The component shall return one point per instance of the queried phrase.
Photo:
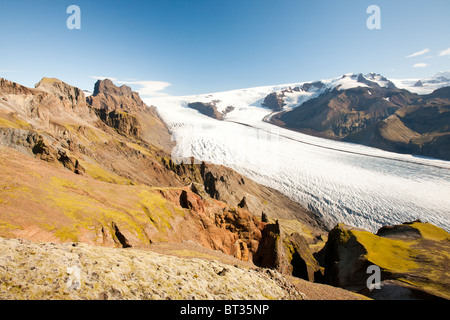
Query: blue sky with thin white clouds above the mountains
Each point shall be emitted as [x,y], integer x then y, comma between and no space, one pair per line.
[189,47]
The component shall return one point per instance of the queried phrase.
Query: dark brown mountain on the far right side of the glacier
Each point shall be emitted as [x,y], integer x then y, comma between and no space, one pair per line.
[378,114]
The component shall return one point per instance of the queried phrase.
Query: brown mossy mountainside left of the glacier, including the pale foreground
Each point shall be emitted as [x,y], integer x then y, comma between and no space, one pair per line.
[90,179]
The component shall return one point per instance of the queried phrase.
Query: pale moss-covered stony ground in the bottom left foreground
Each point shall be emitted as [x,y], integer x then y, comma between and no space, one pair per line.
[36,271]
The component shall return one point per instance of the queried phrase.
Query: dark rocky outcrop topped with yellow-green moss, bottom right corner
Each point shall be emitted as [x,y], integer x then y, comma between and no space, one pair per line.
[412,259]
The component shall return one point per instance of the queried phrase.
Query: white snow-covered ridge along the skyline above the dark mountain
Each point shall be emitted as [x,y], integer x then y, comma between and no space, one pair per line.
[292,95]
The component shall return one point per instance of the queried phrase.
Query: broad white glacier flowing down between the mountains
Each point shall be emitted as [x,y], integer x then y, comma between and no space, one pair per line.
[340,182]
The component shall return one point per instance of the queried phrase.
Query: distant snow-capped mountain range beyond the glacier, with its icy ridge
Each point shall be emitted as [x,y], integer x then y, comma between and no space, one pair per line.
[405,116]
